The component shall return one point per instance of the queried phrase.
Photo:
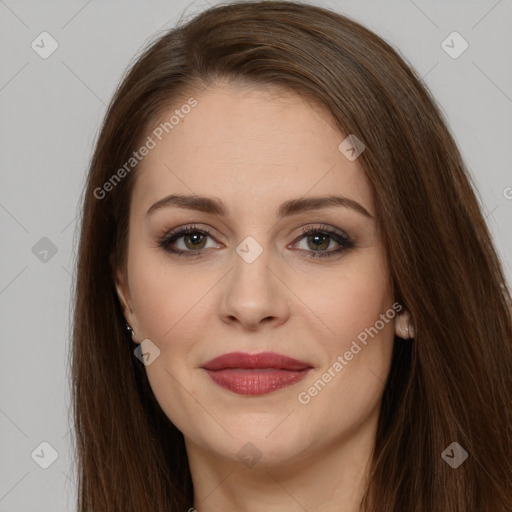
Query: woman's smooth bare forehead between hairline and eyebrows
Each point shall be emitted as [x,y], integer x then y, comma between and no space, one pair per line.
[251,146]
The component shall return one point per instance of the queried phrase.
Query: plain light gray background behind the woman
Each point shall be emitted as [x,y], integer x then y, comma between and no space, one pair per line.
[51,111]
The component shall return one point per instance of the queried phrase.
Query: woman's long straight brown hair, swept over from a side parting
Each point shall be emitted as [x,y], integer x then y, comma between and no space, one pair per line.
[452,383]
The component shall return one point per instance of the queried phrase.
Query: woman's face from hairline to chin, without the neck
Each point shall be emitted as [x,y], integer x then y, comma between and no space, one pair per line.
[249,280]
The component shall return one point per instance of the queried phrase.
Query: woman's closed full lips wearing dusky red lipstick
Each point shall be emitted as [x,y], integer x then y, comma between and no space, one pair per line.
[255,374]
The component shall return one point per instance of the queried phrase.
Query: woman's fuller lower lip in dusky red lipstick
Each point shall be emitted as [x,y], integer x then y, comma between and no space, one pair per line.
[255,381]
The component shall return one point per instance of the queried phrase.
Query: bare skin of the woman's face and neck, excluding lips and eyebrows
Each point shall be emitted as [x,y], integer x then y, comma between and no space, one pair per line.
[254,148]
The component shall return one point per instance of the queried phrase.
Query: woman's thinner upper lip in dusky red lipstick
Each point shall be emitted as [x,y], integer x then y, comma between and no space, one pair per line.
[254,361]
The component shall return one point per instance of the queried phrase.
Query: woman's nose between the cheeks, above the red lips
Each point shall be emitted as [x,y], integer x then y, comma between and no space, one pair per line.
[255,294]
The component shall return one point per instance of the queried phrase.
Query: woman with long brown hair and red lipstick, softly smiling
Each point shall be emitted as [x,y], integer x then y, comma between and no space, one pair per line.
[317,318]
